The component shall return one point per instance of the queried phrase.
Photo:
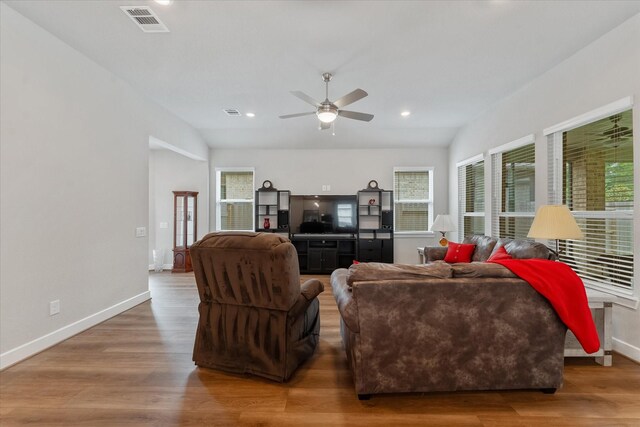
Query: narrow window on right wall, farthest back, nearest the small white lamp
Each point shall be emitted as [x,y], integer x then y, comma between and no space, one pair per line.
[471,196]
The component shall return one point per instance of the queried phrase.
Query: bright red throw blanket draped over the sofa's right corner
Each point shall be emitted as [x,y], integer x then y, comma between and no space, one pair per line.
[559,284]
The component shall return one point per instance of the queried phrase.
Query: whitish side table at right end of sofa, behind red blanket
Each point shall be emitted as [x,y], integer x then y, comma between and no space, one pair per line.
[601,305]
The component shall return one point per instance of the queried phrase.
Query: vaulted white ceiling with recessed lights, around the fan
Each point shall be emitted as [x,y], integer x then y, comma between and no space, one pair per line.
[445,61]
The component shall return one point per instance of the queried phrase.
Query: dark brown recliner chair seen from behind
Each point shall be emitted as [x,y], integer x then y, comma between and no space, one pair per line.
[255,317]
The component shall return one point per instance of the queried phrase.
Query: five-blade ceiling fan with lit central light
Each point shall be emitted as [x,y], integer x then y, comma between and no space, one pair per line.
[327,111]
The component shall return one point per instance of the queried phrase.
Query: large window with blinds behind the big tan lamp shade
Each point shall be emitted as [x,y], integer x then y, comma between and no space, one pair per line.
[591,171]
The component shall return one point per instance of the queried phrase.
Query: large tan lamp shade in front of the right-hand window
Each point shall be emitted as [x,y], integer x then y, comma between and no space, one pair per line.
[554,222]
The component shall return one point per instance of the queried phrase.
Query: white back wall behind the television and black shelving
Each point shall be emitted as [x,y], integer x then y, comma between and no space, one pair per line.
[346,171]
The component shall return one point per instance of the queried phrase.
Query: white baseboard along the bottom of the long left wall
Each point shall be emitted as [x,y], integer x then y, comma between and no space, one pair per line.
[24,351]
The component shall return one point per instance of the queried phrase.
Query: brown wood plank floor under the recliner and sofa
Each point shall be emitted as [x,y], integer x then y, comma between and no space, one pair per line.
[136,369]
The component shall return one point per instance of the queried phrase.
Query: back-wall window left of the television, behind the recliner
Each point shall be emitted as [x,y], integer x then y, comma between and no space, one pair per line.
[234,199]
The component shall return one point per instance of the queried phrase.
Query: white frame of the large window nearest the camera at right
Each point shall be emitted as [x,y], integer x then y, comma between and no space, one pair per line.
[555,186]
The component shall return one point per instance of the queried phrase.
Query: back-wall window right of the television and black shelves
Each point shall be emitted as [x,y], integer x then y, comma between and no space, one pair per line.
[413,189]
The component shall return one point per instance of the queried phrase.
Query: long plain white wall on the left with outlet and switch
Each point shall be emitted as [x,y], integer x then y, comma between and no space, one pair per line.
[73,188]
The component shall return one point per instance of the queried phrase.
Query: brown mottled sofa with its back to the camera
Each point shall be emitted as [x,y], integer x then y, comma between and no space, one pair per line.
[446,327]
